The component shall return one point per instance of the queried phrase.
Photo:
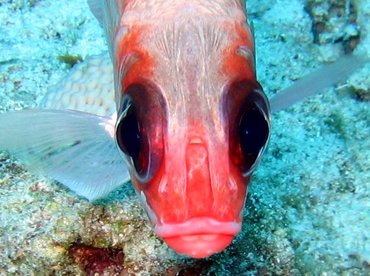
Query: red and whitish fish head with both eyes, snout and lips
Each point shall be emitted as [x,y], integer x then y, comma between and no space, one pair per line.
[192,123]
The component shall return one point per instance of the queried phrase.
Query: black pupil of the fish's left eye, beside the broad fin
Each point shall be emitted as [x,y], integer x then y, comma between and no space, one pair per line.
[128,132]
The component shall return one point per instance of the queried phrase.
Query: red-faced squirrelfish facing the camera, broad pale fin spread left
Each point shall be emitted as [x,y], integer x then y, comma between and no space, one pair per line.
[190,126]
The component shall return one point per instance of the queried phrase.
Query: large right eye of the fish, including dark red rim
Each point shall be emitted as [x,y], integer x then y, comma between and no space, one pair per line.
[246,111]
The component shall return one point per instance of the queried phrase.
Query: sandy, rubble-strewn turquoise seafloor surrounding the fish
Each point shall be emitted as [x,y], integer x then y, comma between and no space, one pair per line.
[308,209]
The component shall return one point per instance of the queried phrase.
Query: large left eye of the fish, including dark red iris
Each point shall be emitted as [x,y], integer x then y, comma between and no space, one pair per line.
[140,128]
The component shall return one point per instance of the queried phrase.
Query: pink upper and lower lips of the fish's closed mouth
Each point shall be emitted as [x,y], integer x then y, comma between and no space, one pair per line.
[198,237]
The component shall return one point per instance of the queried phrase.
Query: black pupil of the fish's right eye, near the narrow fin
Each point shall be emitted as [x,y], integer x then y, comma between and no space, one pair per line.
[253,132]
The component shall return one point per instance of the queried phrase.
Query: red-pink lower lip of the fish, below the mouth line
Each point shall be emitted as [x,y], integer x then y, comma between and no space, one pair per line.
[199,246]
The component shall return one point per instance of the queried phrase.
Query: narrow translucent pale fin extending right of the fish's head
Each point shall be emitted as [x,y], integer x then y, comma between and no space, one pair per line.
[326,76]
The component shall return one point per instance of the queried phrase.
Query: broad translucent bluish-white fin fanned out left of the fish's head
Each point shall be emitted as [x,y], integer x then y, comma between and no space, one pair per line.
[74,148]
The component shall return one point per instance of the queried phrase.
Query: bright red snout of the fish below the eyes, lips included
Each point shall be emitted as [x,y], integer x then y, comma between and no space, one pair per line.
[195,202]
